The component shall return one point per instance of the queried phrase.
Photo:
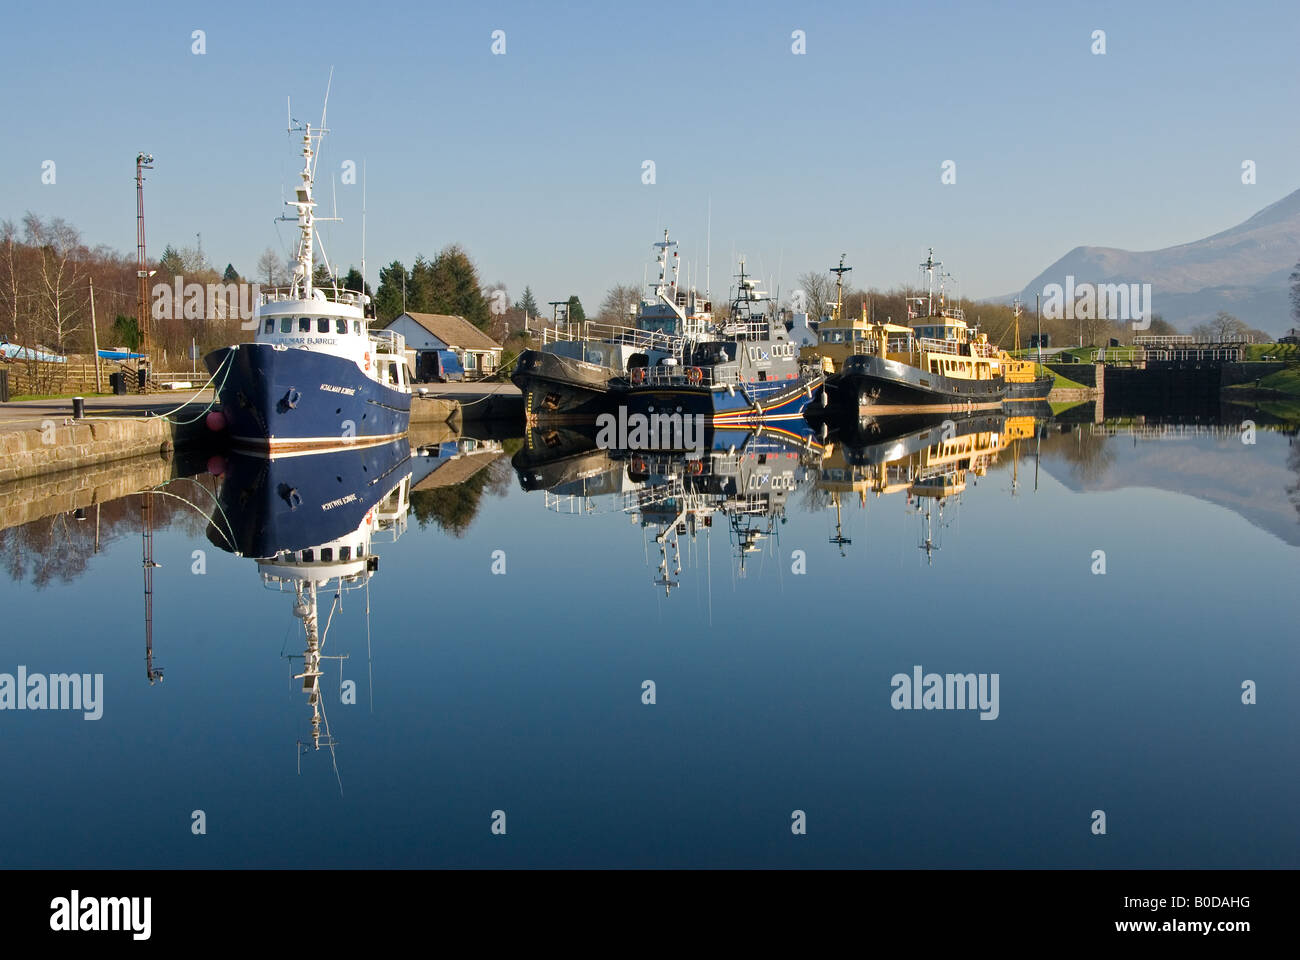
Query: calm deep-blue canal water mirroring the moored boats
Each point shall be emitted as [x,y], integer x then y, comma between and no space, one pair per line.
[522,691]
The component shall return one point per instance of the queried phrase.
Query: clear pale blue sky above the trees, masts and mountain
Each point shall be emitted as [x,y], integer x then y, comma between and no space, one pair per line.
[534,161]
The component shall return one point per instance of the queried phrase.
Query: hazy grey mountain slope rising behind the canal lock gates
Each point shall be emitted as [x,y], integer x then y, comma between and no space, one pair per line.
[1243,270]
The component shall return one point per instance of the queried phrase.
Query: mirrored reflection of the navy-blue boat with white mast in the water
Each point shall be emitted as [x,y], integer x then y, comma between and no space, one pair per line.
[311,522]
